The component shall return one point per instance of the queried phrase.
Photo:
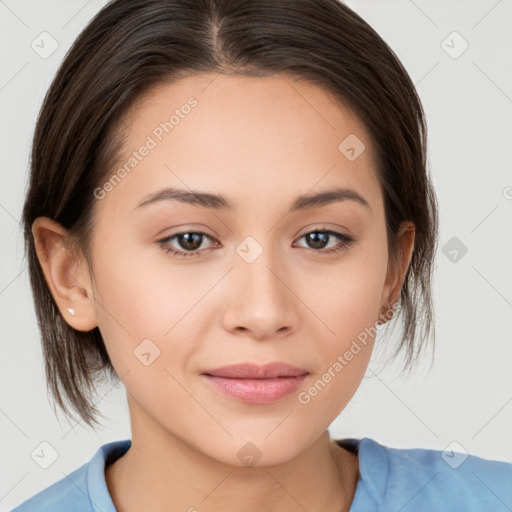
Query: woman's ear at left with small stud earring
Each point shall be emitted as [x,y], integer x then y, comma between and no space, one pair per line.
[67,277]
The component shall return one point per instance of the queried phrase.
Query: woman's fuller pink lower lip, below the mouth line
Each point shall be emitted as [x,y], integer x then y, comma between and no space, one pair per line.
[256,391]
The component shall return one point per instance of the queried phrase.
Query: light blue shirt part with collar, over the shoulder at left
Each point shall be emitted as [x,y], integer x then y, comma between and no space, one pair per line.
[83,490]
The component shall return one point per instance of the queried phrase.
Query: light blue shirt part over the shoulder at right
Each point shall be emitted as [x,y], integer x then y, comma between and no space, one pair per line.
[426,479]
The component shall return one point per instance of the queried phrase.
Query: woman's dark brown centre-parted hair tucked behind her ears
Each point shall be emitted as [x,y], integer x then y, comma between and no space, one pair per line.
[132,45]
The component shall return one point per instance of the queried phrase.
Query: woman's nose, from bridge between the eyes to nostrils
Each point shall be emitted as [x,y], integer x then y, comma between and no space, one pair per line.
[262,303]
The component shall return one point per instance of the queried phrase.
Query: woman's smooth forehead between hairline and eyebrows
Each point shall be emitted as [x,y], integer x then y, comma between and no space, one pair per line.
[247,135]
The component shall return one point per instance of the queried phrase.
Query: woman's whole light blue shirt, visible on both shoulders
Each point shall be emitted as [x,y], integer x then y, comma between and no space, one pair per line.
[392,479]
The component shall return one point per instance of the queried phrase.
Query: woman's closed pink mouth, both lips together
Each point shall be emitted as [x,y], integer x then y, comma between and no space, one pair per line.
[255,384]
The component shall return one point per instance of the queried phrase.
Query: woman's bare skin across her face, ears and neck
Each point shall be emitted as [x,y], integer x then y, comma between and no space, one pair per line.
[260,142]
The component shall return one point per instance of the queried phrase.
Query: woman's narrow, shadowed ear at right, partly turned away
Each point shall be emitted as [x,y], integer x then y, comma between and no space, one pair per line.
[397,269]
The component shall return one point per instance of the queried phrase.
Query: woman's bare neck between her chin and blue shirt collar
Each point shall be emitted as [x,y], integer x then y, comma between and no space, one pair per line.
[161,472]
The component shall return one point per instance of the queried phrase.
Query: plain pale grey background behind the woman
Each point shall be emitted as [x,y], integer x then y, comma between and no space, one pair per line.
[465,398]
